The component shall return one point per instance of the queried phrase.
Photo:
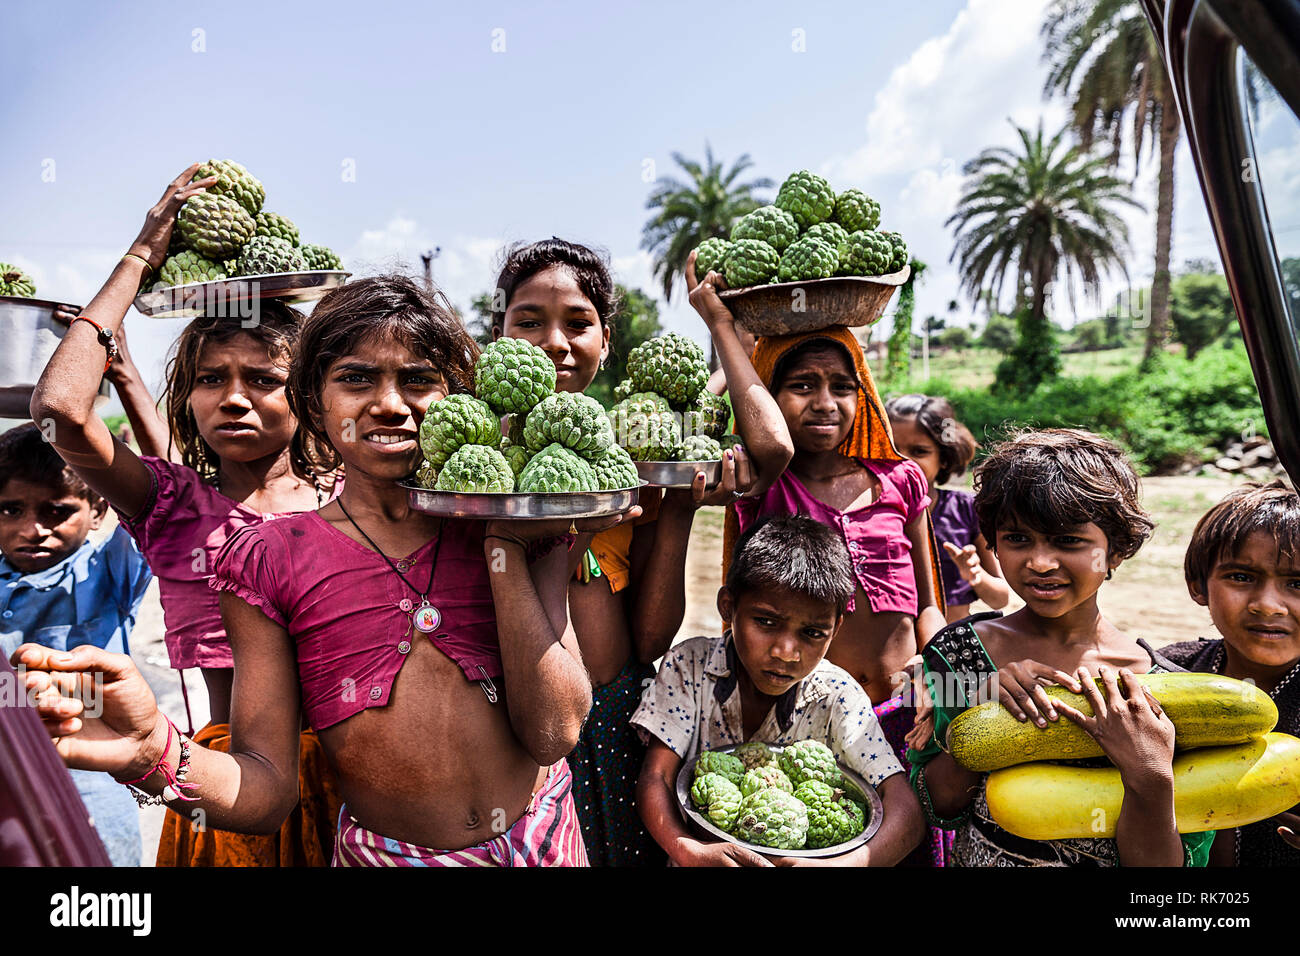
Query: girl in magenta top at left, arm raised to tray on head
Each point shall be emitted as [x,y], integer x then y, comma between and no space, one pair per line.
[232,431]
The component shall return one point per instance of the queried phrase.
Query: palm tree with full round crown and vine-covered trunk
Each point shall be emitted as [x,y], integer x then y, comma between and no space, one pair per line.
[1034,215]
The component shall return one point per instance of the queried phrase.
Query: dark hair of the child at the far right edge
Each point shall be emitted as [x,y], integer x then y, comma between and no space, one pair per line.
[1273,509]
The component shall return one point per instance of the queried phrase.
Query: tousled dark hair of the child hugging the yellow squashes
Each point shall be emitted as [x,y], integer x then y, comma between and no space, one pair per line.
[1059,478]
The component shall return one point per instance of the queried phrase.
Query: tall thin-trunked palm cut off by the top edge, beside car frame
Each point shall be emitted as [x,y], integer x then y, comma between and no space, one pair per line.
[1104,59]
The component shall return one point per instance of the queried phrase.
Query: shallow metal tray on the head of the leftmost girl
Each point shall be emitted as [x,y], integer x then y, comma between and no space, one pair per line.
[235,297]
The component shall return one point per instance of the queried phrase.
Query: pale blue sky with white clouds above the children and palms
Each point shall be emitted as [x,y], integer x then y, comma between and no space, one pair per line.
[389,129]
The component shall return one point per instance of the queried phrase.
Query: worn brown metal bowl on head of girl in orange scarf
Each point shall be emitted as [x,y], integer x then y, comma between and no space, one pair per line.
[781,309]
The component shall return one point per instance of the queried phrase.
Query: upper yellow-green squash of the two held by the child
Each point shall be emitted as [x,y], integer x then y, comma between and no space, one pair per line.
[1207,711]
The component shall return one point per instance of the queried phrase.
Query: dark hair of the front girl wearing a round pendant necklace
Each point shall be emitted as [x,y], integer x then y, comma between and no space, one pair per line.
[371,309]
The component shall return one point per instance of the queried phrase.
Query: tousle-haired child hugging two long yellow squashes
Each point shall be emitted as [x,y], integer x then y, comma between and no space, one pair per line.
[1061,509]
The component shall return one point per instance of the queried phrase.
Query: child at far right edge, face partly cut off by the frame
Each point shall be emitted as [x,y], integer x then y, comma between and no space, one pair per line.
[1243,564]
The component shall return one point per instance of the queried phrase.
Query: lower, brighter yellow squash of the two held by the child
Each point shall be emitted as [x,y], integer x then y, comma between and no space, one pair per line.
[1215,789]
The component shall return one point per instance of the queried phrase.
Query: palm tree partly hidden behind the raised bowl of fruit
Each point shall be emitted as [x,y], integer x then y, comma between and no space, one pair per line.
[690,213]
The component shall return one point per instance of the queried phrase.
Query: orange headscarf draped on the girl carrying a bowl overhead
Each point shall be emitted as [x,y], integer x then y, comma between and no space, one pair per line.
[870,436]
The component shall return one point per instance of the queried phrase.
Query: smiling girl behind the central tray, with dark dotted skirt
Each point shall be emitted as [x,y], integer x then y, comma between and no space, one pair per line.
[561,297]
